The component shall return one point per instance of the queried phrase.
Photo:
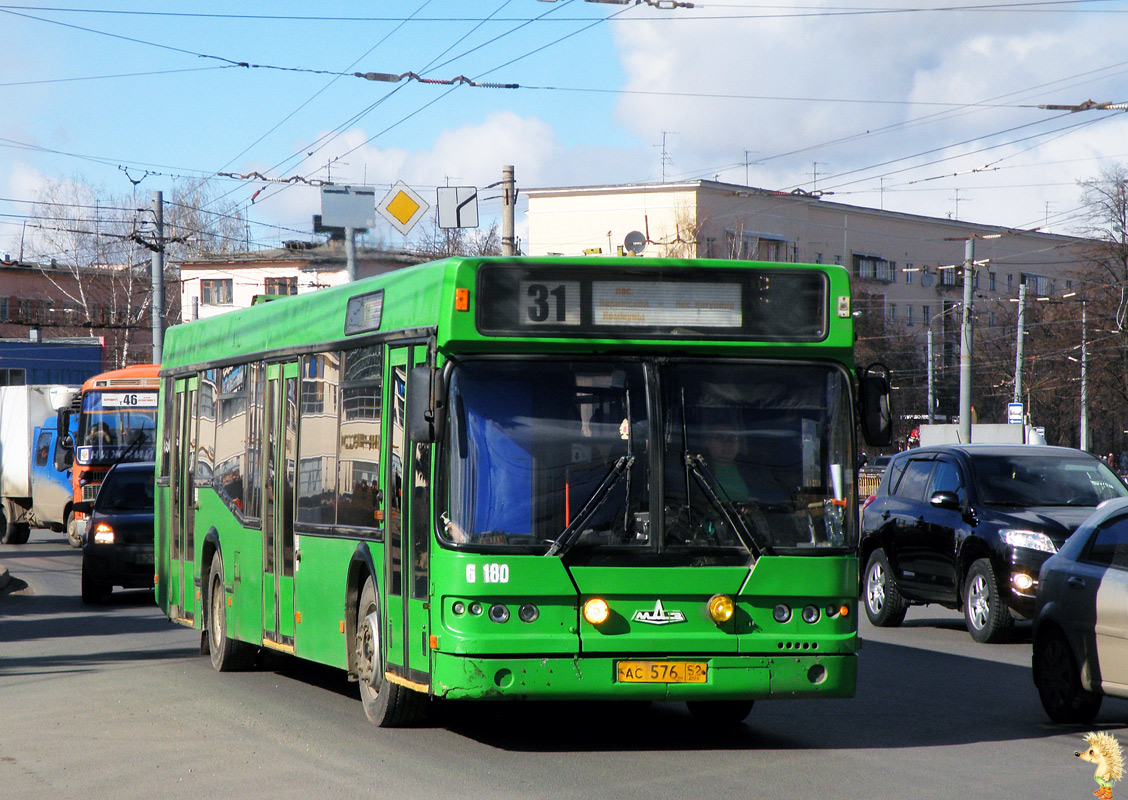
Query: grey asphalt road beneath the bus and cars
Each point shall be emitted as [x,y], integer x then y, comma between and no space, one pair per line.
[117,702]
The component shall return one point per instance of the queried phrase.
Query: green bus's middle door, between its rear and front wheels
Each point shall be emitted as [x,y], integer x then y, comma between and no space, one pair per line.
[280,446]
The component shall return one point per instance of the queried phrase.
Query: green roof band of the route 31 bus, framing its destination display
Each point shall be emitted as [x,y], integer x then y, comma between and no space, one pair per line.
[421,301]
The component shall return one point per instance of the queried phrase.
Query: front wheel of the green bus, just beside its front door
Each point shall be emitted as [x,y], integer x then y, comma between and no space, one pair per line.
[387,705]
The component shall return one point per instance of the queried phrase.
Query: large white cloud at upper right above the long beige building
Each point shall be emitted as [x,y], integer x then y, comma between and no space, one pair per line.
[892,59]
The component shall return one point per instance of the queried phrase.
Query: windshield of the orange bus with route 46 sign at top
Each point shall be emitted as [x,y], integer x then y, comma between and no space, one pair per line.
[117,426]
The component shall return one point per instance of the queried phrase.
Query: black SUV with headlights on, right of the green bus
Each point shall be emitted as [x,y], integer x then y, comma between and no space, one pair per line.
[968,526]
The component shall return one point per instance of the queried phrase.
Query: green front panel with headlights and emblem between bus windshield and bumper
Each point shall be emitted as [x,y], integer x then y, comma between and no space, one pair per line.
[632,593]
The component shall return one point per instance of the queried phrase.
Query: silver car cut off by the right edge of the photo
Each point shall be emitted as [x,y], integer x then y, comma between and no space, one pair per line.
[1081,619]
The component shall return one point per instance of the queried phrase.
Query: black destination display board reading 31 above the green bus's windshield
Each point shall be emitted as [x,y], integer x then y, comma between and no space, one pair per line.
[756,304]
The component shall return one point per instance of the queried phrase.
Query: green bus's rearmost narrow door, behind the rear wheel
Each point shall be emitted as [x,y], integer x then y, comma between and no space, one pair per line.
[183,500]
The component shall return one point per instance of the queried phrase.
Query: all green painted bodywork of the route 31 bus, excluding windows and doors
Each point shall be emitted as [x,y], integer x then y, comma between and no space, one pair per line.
[558,655]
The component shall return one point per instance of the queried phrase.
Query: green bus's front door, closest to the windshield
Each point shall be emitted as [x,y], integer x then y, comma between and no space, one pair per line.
[407,478]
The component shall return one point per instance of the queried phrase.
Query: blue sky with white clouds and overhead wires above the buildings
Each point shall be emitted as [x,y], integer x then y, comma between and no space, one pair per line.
[915,108]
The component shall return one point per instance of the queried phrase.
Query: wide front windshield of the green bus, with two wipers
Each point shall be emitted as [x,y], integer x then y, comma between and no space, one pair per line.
[750,458]
